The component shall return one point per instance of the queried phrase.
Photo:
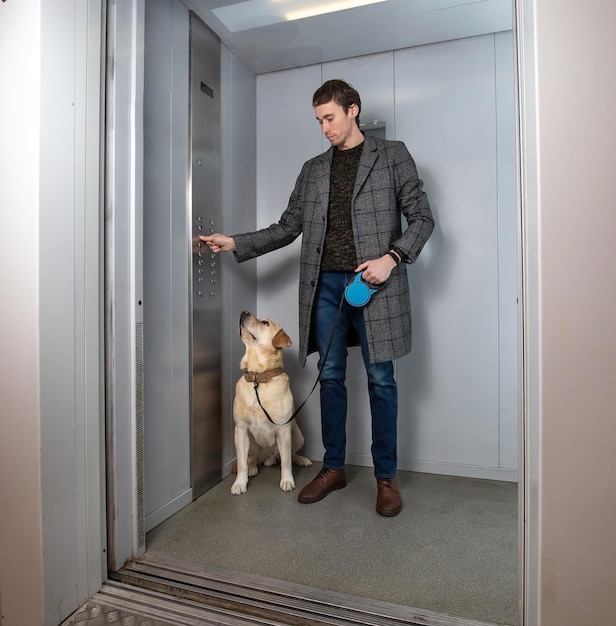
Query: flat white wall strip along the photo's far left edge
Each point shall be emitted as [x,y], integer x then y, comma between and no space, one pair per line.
[21,553]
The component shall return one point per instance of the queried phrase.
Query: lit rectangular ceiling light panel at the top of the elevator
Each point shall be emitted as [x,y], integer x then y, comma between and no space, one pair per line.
[256,13]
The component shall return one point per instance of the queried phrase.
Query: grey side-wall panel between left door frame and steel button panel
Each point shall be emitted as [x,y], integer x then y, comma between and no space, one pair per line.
[166,262]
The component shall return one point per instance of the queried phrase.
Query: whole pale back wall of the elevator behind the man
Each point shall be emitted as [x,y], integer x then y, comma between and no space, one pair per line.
[453,105]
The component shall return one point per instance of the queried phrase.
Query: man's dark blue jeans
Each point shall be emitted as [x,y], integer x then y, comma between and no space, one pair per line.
[382,387]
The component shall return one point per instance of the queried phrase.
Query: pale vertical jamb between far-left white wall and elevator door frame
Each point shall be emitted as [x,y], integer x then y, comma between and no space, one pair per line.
[70,303]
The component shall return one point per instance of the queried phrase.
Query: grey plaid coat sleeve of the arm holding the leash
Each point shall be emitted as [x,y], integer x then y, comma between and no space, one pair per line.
[413,204]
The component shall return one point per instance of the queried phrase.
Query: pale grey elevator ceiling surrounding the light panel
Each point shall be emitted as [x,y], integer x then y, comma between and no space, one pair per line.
[384,26]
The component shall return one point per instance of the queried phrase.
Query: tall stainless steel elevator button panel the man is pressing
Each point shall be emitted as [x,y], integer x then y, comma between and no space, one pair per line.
[206,217]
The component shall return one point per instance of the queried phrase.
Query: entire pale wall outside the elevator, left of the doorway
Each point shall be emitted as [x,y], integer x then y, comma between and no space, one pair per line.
[52,459]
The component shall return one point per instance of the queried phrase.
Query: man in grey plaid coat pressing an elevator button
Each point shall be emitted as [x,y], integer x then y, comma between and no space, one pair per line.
[347,204]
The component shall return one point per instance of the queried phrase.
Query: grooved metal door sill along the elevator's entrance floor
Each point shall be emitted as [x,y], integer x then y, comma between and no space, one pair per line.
[259,600]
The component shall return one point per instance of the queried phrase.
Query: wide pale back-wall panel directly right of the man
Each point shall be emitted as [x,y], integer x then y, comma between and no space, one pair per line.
[449,415]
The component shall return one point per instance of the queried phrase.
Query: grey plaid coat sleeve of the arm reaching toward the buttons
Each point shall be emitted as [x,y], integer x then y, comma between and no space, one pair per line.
[285,231]
